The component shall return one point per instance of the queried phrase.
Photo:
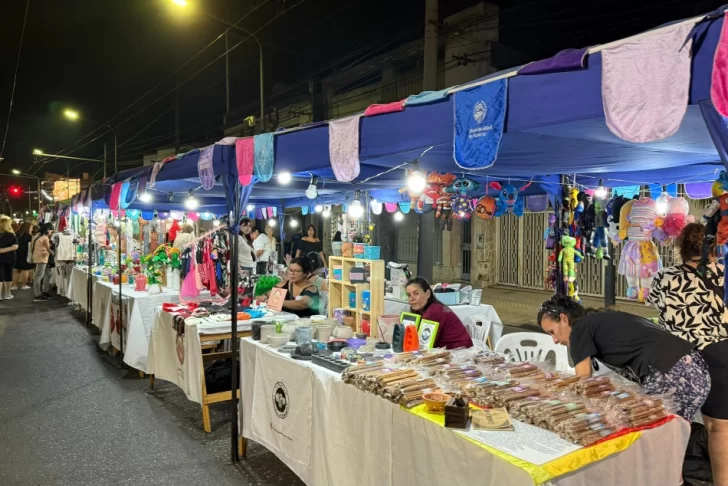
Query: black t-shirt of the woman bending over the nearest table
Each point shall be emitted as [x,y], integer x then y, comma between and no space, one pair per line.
[624,340]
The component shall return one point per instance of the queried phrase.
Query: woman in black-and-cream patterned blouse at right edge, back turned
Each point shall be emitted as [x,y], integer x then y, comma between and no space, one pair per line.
[691,307]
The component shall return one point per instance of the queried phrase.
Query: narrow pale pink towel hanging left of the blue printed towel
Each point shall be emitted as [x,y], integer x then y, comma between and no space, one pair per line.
[344,148]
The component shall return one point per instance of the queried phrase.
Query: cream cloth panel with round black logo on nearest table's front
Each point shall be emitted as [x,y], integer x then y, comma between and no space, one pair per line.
[283,393]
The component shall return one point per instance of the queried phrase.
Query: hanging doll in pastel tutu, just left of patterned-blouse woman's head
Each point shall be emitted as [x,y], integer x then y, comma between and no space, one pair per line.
[640,261]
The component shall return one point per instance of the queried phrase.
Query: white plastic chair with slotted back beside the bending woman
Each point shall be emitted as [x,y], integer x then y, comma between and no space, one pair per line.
[533,346]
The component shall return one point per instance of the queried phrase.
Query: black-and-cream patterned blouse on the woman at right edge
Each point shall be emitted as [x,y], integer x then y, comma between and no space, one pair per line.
[688,309]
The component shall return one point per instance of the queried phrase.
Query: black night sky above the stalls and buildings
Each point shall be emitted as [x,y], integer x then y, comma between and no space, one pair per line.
[101,56]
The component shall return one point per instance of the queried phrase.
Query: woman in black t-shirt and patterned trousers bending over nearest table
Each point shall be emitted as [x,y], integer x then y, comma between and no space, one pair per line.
[661,363]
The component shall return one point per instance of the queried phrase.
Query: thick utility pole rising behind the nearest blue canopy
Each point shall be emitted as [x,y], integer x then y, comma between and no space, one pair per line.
[429,83]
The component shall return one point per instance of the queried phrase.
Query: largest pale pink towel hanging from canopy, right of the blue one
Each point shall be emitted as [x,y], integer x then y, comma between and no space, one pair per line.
[646,83]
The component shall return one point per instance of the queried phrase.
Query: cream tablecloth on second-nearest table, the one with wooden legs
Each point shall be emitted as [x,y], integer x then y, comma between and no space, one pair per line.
[177,358]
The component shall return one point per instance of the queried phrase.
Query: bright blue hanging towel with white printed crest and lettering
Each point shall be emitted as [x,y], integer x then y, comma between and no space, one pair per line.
[480,114]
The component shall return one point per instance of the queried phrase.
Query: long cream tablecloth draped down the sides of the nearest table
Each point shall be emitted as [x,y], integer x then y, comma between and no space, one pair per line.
[357,438]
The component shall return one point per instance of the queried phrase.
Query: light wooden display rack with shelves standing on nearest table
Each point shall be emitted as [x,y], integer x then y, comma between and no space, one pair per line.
[339,291]
